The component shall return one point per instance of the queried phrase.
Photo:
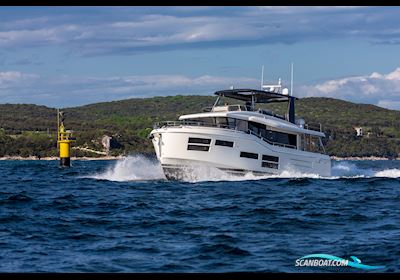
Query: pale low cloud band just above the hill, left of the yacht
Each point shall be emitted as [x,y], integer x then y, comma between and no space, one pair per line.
[64,91]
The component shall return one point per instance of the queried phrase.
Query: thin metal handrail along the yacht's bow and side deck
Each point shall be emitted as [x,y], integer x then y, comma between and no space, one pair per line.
[192,123]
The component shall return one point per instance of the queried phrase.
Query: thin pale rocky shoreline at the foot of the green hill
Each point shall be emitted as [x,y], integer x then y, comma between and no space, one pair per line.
[122,157]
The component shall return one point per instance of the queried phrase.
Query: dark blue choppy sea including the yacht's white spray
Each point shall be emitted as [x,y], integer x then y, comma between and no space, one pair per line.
[123,216]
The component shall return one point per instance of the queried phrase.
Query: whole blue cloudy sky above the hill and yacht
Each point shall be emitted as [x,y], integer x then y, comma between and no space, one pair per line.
[71,56]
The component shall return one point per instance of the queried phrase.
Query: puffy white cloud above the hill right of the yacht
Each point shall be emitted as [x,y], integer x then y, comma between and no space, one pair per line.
[380,89]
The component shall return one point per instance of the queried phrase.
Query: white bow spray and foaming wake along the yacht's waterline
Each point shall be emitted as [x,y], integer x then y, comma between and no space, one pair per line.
[140,168]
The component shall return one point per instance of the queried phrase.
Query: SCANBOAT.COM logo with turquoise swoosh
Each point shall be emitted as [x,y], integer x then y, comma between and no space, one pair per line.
[329,260]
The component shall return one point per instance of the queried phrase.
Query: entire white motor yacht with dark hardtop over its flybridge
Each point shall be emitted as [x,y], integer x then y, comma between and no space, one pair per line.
[239,139]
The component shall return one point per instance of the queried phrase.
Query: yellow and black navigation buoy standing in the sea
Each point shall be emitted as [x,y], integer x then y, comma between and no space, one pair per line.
[64,141]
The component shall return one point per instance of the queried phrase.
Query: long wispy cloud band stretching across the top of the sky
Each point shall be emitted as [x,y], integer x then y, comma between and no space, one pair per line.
[131,31]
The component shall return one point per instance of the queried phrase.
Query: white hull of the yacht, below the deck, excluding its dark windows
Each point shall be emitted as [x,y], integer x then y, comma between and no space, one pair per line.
[171,147]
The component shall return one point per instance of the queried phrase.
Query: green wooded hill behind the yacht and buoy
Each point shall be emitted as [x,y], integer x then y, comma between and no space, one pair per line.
[31,130]
